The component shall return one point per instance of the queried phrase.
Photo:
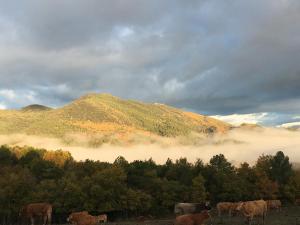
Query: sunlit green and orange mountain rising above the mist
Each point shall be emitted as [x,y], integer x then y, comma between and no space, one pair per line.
[107,115]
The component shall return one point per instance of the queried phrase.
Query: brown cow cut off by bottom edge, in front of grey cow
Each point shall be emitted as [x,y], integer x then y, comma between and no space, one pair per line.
[192,219]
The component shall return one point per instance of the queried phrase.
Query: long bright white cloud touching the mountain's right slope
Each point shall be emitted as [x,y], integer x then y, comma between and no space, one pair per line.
[238,119]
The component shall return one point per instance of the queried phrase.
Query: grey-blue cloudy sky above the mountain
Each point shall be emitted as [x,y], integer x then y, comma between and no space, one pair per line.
[236,59]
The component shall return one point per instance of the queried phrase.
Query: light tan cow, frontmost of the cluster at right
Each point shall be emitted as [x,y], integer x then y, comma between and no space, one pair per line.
[251,209]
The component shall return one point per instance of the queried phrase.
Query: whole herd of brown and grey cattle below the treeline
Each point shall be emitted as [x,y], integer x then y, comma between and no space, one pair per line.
[186,213]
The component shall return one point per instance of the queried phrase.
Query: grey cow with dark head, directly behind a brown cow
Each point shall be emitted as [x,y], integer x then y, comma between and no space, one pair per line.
[188,208]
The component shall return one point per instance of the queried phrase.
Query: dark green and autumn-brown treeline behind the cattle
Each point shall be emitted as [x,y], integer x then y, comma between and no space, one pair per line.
[138,188]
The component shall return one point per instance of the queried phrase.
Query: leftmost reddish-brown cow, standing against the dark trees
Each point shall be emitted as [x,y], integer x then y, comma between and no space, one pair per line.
[34,210]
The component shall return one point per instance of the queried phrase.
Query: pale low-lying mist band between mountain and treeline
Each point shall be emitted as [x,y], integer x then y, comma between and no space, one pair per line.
[239,145]
